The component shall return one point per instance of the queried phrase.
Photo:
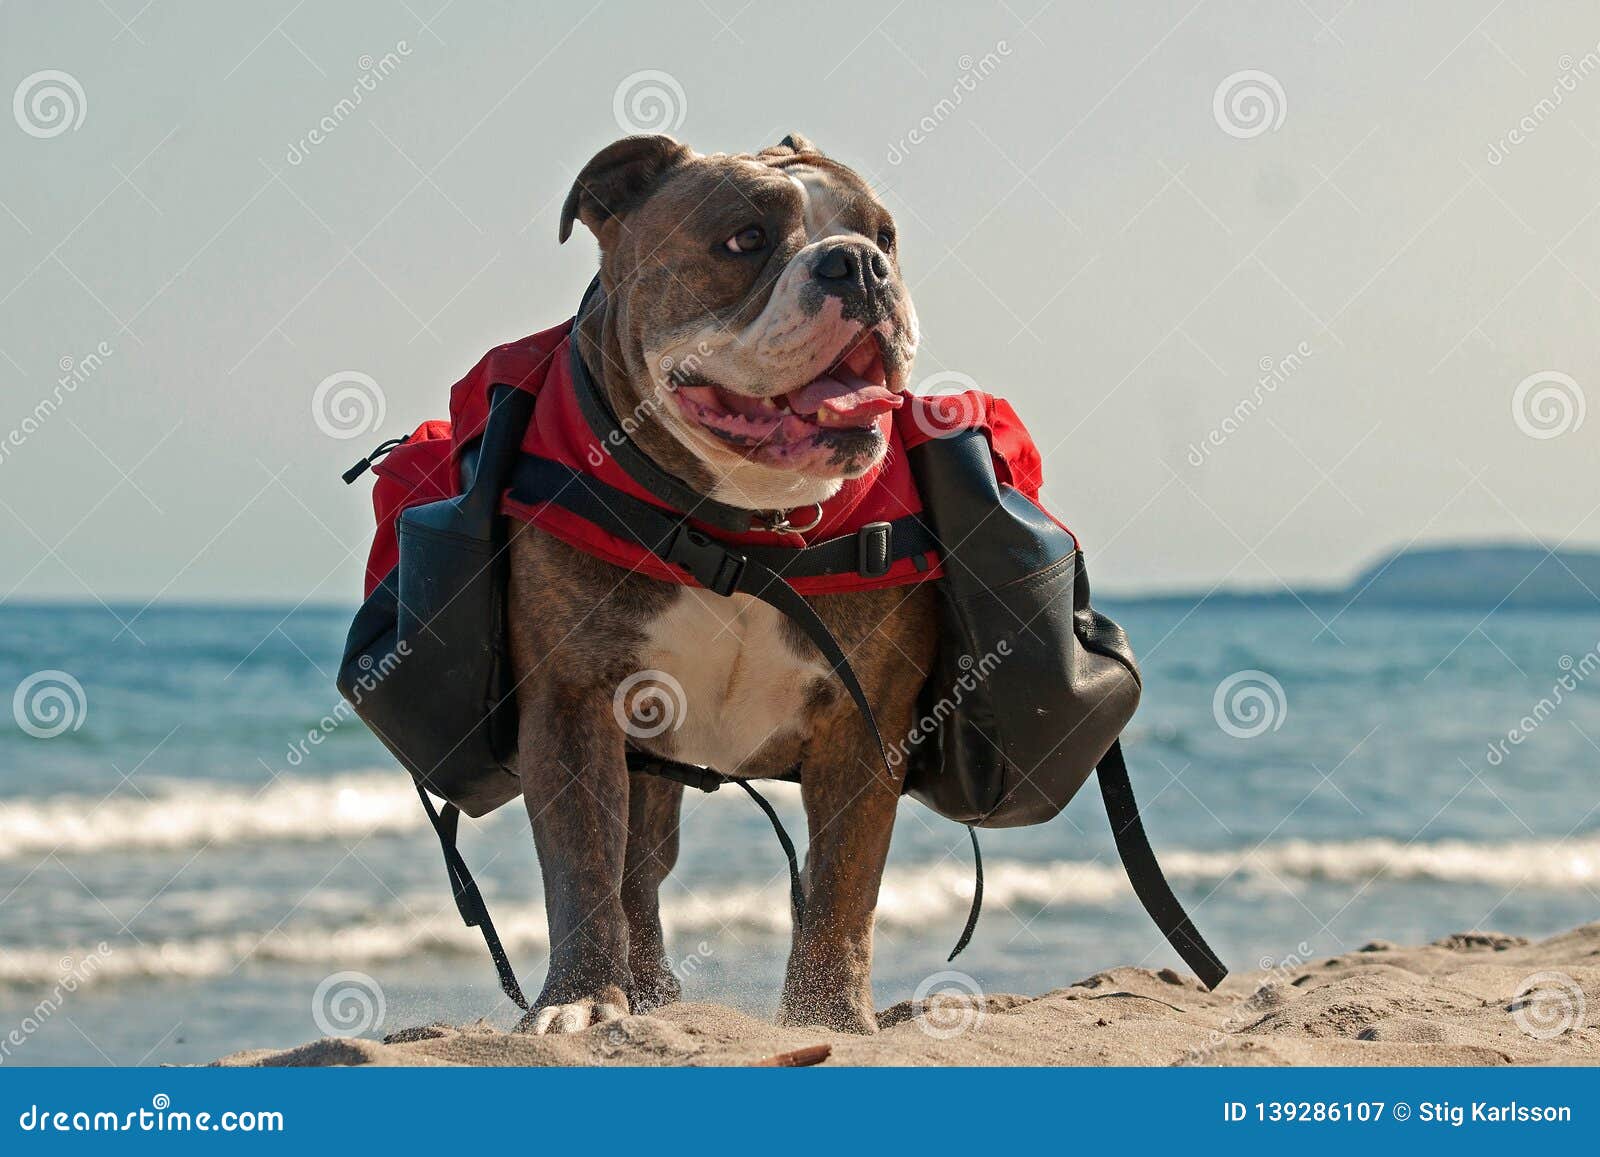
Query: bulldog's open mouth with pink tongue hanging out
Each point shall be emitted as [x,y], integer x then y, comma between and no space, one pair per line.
[847,399]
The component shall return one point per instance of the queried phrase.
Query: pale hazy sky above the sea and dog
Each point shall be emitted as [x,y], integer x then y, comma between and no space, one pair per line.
[1092,226]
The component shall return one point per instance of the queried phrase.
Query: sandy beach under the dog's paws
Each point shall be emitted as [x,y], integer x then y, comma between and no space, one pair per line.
[1468,999]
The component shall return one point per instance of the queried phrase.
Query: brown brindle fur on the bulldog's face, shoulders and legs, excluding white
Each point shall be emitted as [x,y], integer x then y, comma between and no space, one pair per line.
[580,627]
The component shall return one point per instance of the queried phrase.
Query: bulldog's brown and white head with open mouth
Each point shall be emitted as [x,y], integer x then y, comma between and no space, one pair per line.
[754,314]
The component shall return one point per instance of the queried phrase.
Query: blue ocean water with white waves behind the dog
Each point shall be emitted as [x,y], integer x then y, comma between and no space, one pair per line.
[183,873]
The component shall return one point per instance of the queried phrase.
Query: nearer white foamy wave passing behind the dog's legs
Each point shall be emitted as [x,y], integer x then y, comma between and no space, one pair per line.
[911,899]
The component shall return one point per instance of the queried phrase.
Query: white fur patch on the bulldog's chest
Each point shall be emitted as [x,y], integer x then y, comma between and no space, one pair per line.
[743,684]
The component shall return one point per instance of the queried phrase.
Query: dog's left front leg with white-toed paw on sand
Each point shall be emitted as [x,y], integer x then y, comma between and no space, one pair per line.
[575,785]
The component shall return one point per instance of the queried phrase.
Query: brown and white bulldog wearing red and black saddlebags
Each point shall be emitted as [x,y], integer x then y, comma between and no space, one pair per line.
[770,284]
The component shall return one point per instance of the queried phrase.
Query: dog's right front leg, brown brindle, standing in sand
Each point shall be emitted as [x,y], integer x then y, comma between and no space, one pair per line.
[850,820]
